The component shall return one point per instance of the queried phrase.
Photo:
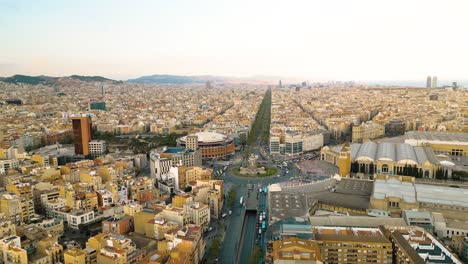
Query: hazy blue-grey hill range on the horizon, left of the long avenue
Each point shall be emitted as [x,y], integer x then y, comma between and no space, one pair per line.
[175,79]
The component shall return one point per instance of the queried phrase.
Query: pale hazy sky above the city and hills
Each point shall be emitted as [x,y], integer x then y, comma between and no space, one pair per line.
[327,39]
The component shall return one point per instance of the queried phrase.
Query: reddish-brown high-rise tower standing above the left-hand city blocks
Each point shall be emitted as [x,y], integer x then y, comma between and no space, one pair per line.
[81,134]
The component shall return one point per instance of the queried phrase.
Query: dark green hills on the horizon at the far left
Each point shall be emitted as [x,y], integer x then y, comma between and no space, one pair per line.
[47,80]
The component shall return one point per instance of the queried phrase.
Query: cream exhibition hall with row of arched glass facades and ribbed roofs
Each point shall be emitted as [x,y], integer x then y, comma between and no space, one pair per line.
[384,158]
